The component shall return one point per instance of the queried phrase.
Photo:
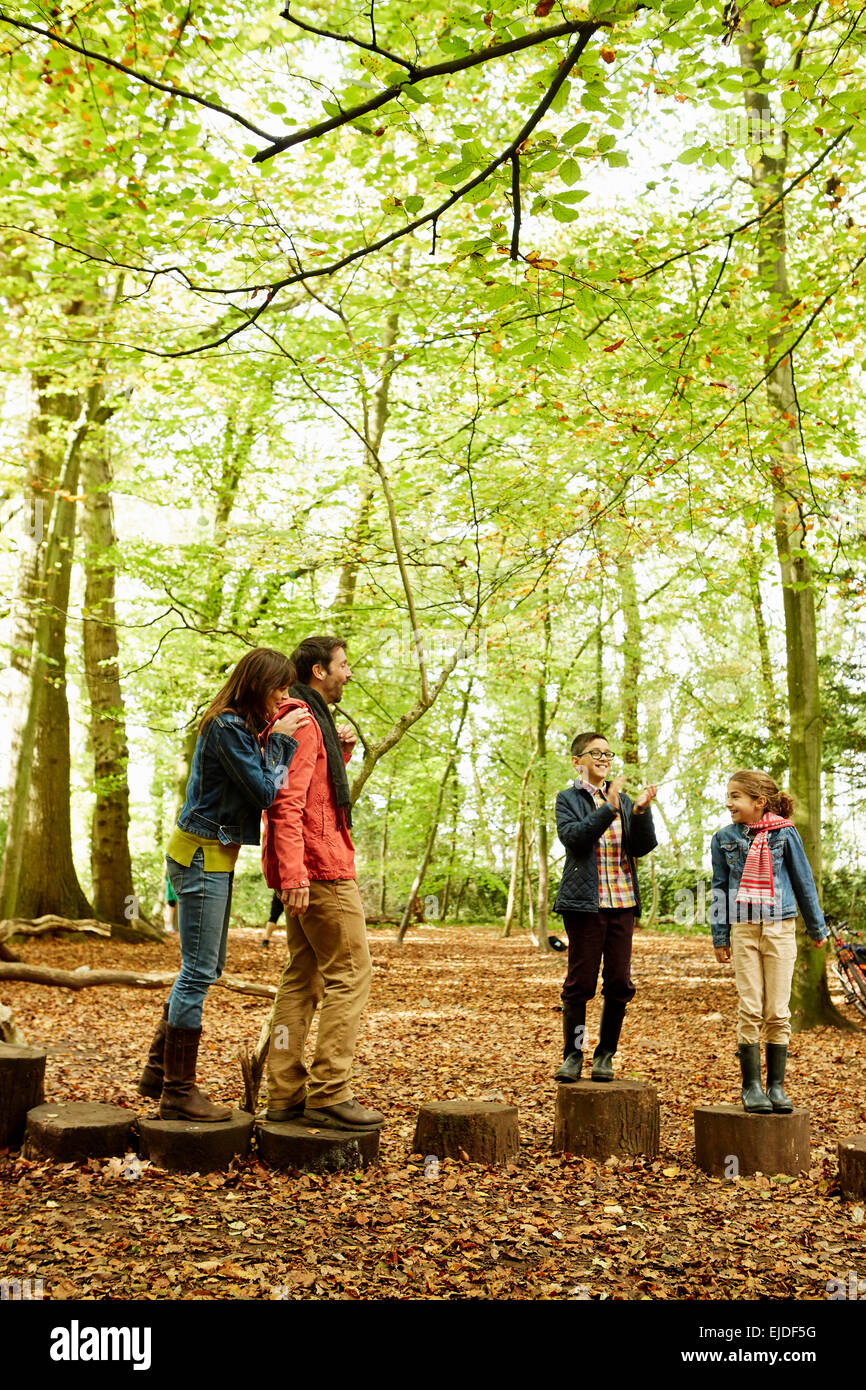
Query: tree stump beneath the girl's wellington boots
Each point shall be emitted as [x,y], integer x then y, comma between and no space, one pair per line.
[729,1143]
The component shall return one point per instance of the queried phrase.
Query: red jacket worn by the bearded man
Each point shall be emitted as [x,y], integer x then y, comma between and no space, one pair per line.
[304,839]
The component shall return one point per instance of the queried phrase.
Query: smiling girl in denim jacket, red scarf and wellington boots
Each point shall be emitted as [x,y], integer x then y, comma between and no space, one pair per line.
[761,878]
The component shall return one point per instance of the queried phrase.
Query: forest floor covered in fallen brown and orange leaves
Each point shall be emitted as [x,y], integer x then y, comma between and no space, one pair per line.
[454,1014]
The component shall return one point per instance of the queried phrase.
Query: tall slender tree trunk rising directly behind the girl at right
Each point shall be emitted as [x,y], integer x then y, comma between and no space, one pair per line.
[811,999]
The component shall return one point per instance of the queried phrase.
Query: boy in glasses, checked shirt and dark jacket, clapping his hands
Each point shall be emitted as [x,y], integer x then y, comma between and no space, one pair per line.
[604,835]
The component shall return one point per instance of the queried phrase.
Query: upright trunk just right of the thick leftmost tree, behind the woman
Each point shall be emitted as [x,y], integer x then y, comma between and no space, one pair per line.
[112,868]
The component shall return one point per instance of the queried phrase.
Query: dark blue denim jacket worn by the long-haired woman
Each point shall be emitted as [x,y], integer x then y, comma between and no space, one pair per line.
[233,780]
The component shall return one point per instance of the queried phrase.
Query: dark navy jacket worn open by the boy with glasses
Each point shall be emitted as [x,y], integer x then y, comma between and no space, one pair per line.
[580,824]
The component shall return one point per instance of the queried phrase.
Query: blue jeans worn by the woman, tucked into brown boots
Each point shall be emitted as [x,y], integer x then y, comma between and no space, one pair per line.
[204,906]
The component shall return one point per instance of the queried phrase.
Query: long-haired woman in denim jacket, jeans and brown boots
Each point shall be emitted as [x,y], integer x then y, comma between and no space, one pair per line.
[231,782]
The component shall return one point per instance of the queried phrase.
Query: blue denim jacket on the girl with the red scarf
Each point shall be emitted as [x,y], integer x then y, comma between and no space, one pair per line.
[793,883]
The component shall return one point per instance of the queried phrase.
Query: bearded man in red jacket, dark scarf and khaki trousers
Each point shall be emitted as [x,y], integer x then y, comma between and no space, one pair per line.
[309,861]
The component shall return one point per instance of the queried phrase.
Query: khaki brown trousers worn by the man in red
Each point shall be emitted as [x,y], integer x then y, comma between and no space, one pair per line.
[329,964]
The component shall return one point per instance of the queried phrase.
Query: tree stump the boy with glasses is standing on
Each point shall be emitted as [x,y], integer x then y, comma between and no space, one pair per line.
[604,1120]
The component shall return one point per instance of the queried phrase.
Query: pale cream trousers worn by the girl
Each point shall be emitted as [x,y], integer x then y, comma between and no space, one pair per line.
[764,956]
